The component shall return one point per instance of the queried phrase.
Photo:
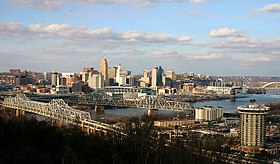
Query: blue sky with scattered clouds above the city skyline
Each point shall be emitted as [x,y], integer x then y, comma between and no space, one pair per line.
[213,37]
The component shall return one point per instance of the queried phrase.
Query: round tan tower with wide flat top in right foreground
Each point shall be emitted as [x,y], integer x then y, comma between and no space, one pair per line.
[252,126]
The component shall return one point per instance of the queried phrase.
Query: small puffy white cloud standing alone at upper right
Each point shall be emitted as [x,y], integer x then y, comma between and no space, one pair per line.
[225,32]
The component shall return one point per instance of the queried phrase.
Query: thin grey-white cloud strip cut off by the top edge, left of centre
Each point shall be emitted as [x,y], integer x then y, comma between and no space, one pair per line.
[55,4]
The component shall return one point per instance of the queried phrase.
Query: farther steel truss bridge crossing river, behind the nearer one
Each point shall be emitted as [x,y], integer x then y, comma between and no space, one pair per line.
[149,101]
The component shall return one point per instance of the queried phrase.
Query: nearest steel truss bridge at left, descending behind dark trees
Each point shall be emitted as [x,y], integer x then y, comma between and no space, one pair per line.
[59,110]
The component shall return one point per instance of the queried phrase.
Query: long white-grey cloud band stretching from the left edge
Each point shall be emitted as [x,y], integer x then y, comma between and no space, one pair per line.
[86,36]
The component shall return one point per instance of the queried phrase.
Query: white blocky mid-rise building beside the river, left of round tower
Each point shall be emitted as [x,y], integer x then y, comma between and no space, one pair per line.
[209,113]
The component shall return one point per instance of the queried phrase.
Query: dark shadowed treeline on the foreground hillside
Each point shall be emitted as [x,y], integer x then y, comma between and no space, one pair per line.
[31,141]
